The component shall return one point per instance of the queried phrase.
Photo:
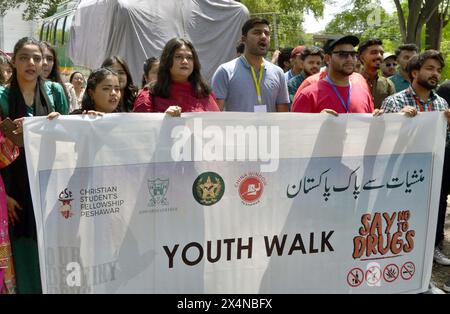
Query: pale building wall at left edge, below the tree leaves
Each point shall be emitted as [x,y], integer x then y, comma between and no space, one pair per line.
[13,27]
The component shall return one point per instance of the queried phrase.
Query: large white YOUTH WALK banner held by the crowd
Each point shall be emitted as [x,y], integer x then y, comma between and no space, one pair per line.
[236,202]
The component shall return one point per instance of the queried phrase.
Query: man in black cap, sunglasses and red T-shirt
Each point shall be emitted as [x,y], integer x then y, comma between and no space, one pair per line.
[335,93]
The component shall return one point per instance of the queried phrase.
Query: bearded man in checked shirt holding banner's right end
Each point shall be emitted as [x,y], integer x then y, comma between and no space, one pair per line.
[425,72]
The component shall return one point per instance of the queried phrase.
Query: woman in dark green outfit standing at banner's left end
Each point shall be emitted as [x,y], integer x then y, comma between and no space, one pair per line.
[27,95]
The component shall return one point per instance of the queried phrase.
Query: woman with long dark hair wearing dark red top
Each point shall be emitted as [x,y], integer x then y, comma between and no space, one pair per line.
[179,86]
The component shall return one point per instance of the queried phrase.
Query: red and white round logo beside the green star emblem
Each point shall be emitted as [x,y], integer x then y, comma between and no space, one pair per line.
[251,187]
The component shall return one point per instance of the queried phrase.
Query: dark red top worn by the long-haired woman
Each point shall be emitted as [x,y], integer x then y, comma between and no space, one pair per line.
[181,94]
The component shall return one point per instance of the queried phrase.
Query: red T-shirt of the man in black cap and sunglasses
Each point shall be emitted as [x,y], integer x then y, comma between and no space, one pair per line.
[316,97]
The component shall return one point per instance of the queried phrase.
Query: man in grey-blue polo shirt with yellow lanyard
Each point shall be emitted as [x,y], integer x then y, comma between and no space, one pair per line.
[250,83]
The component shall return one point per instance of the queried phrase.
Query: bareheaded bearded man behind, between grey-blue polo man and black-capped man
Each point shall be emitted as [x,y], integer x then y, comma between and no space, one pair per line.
[312,58]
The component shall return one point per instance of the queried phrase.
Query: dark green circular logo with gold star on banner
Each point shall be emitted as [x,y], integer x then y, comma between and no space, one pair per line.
[208,188]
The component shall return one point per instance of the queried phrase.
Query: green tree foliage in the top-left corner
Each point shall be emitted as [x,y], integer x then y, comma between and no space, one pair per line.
[34,9]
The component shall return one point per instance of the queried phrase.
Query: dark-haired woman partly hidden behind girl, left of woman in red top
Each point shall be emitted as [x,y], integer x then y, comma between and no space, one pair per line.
[128,90]
